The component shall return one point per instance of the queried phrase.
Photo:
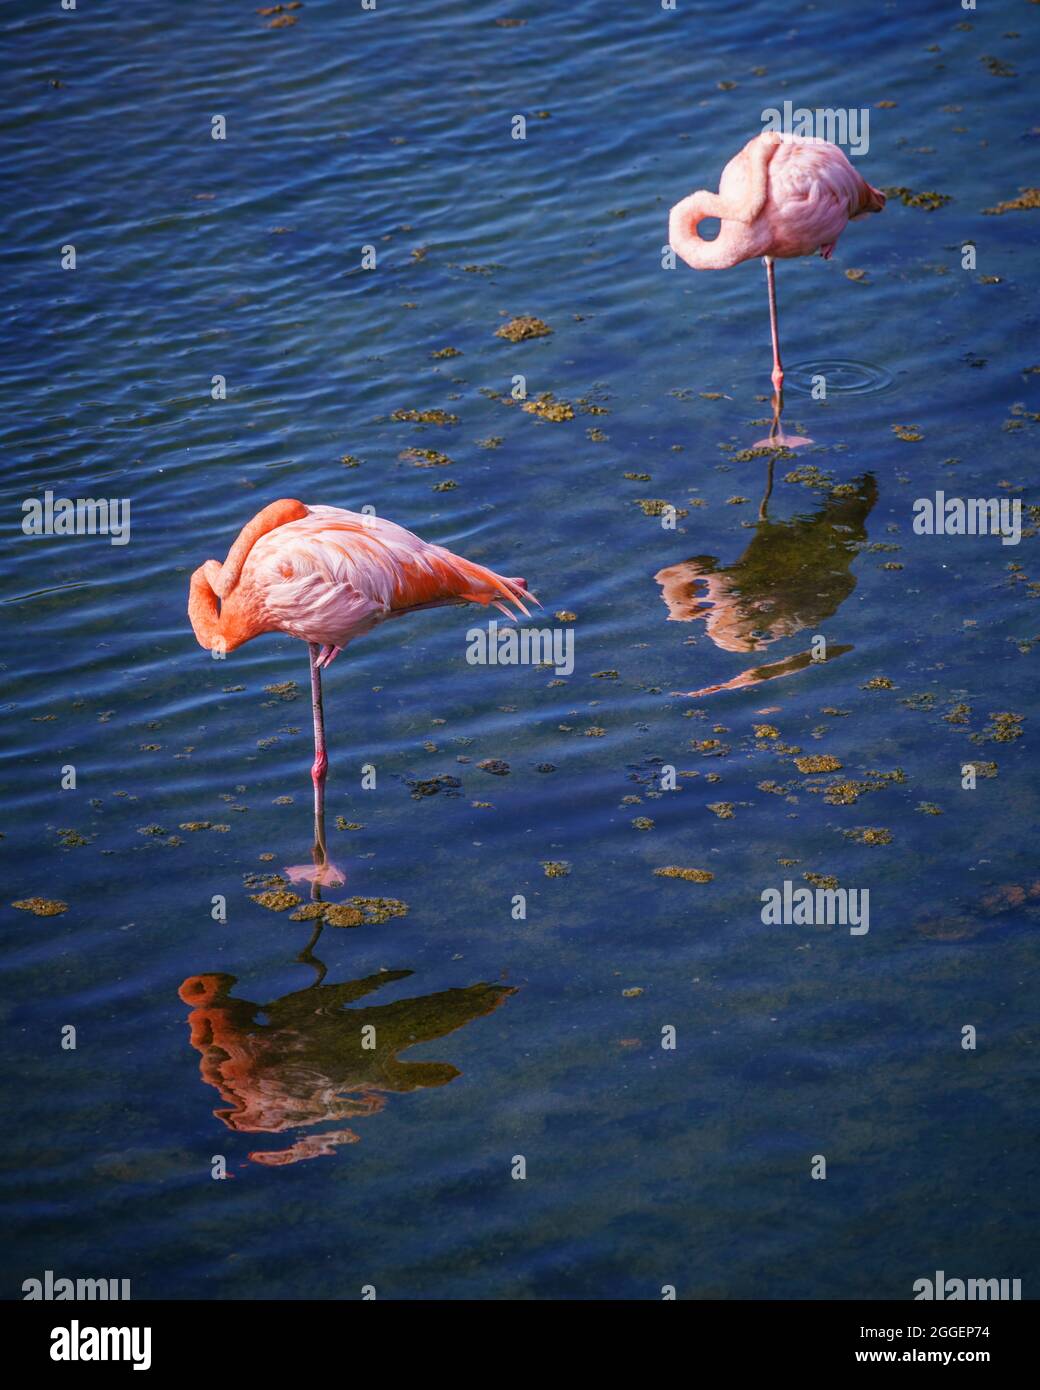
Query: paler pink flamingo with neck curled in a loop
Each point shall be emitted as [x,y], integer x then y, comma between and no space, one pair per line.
[782,197]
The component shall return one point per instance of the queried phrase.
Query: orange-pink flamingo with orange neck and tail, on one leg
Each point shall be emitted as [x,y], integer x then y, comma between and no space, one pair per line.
[329,576]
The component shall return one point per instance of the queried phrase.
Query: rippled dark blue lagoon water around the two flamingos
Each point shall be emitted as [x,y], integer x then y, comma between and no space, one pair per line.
[243,258]
